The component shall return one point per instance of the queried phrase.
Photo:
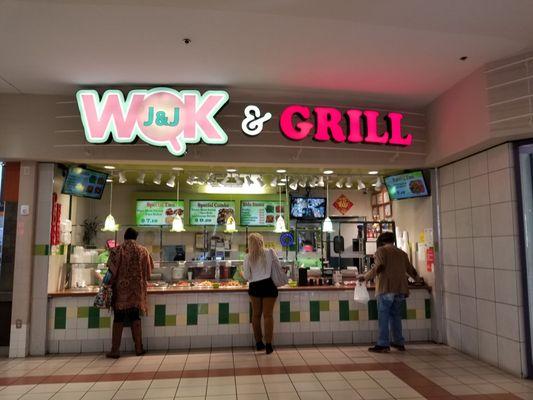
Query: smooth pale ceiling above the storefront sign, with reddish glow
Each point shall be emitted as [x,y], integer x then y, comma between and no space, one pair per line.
[403,54]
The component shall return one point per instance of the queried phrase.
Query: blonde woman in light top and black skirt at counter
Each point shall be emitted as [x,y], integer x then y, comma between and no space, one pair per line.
[258,265]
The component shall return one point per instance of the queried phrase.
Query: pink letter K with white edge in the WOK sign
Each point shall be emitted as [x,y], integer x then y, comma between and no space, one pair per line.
[199,116]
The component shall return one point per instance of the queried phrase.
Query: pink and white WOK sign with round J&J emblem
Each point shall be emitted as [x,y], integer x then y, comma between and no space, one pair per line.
[160,116]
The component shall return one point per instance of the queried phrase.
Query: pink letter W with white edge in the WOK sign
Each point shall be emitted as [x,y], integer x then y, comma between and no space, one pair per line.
[98,126]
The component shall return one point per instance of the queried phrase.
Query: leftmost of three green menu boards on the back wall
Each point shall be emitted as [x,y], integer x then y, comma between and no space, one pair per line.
[157,212]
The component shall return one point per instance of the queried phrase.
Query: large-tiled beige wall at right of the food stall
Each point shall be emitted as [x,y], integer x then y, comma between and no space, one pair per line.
[482,281]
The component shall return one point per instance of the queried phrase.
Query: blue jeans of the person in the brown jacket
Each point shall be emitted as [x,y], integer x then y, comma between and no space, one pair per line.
[390,312]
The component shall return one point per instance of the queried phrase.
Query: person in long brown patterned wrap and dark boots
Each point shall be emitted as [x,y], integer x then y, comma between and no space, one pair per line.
[131,265]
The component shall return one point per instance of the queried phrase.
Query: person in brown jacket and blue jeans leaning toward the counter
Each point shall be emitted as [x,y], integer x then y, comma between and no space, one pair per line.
[391,267]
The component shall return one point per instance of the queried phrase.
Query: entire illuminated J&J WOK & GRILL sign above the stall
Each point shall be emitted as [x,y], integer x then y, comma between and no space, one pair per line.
[169,118]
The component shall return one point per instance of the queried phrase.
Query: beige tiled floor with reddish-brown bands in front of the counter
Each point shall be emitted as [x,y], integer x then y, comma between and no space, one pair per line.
[326,372]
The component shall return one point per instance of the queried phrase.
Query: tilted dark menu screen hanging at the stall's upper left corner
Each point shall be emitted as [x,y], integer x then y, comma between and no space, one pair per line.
[84,182]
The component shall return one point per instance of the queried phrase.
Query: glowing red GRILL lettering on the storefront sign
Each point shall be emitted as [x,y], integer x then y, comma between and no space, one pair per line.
[362,126]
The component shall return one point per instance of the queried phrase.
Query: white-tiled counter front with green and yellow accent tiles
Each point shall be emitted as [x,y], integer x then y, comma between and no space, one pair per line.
[193,317]
